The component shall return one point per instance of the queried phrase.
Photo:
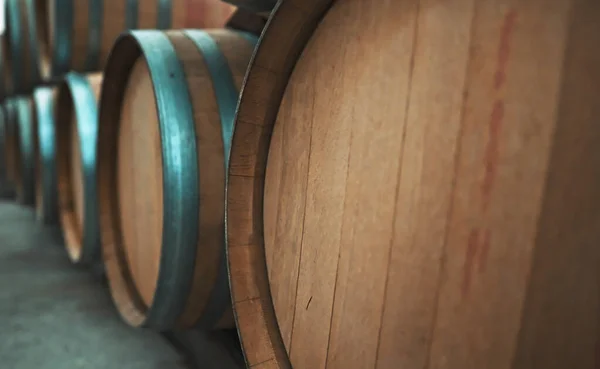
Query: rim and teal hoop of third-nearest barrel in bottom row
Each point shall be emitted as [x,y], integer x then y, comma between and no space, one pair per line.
[73,92]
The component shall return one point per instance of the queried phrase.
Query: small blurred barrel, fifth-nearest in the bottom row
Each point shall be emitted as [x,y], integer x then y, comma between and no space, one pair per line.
[26,148]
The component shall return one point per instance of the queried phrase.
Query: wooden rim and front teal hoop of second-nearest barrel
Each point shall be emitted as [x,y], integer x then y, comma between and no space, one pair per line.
[180,177]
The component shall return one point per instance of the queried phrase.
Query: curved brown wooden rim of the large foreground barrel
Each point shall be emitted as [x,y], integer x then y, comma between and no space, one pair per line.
[266,79]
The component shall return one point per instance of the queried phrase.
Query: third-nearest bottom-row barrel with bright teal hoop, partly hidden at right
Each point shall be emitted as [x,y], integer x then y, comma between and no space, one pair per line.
[76,140]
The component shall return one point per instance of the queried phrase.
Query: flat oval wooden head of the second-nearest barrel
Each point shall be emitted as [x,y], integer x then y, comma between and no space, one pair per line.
[139,181]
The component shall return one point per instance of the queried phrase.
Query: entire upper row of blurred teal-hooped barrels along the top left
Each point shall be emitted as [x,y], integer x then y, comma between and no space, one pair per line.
[45,39]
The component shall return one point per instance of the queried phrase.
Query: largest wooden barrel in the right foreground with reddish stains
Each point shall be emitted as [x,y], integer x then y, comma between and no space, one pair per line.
[394,202]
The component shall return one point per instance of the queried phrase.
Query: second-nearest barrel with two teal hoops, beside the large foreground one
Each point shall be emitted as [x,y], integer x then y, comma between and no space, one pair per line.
[166,122]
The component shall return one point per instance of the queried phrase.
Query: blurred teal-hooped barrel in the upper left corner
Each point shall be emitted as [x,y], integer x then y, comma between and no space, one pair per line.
[23,53]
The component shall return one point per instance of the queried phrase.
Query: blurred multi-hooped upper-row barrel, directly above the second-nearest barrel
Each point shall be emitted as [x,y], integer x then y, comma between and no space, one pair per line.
[80,33]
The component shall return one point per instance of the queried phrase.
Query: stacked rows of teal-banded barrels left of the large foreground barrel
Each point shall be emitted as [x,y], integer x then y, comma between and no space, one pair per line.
[124,193]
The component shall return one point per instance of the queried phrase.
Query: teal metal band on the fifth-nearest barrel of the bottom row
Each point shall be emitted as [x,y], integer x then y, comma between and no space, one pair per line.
[27,147]
